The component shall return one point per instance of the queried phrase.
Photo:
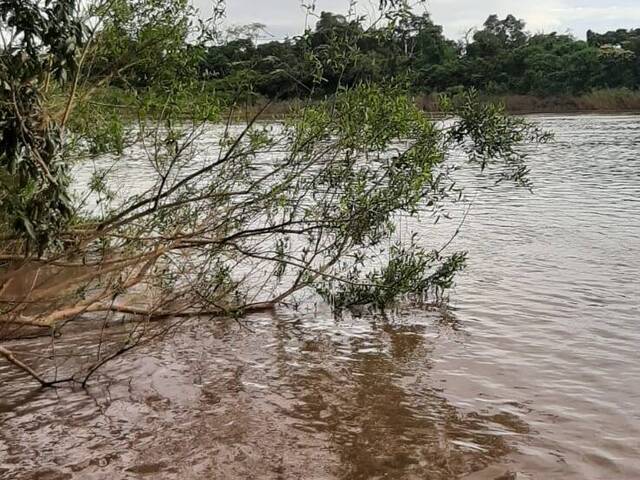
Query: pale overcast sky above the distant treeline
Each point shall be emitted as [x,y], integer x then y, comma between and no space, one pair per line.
[287,17]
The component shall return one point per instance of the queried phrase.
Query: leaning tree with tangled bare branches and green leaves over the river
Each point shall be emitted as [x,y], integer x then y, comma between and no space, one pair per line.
[267,212]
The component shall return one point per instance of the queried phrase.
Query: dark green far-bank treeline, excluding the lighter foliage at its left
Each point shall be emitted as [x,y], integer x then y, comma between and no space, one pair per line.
[502,58]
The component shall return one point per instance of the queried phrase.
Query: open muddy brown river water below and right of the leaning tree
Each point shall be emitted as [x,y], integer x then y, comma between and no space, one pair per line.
[533,374]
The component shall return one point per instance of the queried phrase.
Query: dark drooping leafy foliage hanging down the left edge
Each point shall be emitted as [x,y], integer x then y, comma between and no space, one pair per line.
[40,47]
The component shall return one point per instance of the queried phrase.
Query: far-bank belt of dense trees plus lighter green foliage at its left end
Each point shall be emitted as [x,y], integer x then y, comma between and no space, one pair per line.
[501,60]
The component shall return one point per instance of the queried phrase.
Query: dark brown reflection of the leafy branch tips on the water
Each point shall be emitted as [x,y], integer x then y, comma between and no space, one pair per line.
[371,395]
